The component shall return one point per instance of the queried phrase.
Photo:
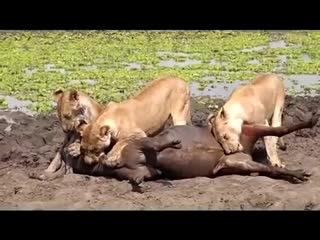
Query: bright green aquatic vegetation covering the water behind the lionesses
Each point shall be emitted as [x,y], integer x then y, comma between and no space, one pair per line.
[112,65]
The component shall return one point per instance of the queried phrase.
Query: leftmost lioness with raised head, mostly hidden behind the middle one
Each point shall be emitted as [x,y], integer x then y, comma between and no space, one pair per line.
[72,106]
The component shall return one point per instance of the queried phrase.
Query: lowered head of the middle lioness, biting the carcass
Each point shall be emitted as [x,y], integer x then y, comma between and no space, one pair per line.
[94,141]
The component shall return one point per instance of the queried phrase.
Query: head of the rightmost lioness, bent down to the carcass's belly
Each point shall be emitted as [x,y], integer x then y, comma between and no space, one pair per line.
[226,130]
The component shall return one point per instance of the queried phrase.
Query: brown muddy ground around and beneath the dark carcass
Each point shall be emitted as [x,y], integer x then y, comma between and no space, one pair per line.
[29,144]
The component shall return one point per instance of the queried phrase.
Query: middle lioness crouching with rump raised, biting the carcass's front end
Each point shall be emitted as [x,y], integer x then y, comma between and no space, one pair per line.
[143,115]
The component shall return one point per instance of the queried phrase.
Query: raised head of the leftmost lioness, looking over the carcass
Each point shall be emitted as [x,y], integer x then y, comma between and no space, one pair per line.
[69,108]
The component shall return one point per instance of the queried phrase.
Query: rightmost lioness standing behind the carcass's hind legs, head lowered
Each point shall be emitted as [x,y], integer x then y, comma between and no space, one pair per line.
[260,102]
